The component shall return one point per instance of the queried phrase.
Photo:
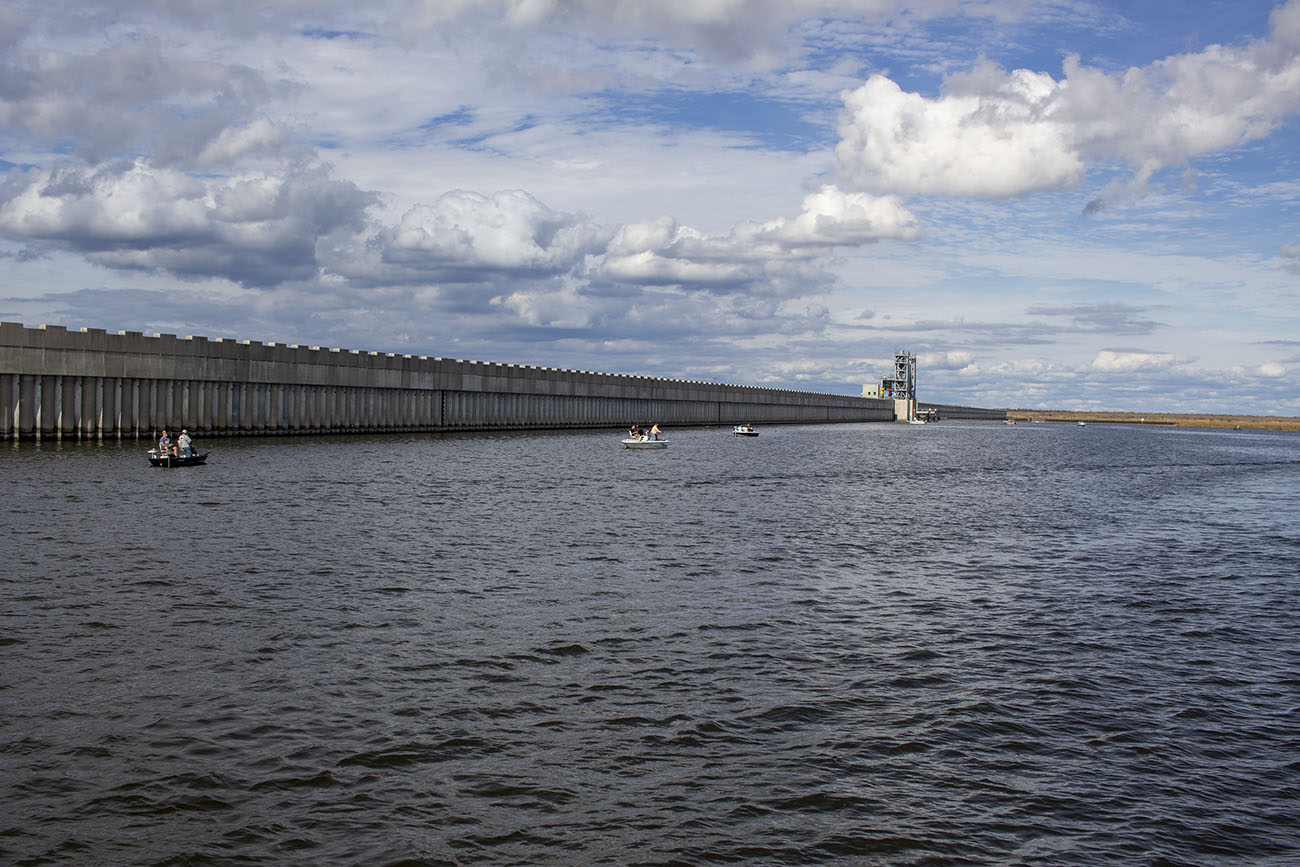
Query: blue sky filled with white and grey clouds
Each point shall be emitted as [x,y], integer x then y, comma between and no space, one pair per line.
[1073,206]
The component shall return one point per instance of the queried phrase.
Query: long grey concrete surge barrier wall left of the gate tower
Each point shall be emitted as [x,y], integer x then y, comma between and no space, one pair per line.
[90,384]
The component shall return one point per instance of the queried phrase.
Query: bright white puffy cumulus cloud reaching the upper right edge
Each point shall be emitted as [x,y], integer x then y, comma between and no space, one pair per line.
[994,133]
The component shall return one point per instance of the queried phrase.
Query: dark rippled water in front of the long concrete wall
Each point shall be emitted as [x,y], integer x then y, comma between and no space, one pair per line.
[856,644]
